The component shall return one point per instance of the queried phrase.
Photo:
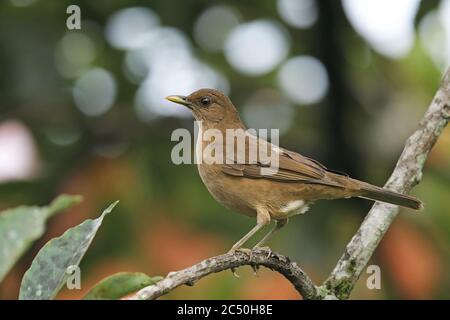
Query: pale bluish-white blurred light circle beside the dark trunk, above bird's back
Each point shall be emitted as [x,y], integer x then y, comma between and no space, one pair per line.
[304,79]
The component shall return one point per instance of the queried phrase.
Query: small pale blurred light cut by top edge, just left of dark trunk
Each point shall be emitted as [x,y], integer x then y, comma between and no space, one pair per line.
[298,13]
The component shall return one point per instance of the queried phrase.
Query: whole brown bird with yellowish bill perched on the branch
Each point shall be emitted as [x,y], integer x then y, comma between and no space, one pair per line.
[245,187]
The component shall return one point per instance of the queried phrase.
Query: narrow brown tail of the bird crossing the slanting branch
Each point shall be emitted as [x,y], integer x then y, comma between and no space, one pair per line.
[379,194]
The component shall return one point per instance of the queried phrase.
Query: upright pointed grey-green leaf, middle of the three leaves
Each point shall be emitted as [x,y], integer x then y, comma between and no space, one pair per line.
[48,272]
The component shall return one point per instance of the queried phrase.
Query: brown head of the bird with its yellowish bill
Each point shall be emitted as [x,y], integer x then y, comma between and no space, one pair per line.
[211,106]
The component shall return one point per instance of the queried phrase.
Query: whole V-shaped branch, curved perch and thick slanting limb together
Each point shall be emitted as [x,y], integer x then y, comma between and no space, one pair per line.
[359,250]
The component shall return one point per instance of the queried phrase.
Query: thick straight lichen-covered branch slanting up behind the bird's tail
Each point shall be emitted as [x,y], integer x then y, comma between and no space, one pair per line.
[406,175]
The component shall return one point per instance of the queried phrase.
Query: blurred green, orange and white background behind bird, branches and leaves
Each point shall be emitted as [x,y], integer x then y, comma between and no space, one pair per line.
[83,112]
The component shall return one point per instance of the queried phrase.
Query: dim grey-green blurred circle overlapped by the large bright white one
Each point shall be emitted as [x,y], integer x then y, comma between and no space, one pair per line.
[213,26]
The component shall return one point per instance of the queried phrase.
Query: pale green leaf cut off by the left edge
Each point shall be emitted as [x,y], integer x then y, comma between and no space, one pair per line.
[21,226]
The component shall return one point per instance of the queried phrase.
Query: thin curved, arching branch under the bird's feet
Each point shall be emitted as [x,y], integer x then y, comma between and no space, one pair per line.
[256,258]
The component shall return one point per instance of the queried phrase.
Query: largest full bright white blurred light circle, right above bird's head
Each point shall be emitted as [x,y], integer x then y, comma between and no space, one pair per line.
[257,47]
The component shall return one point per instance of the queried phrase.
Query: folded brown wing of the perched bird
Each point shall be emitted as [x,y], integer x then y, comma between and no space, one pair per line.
[292,167]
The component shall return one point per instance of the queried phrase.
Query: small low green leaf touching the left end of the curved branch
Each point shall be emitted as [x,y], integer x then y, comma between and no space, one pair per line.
[119,285]
